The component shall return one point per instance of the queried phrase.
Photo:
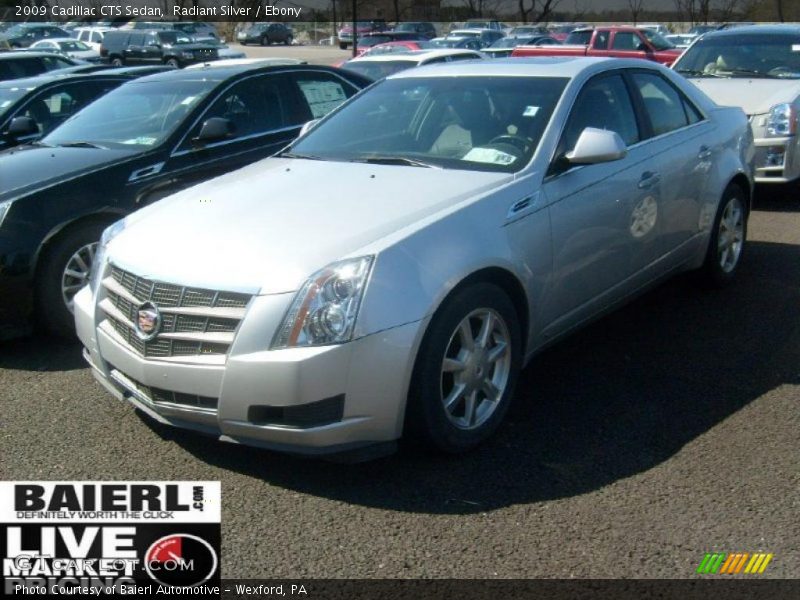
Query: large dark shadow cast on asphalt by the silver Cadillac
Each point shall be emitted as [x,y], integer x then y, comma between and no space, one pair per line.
[616,399]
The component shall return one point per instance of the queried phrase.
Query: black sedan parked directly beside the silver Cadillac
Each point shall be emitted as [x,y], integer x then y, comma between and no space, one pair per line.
[142,141]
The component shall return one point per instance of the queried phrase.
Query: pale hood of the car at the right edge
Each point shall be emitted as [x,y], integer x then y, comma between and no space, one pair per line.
[754,96]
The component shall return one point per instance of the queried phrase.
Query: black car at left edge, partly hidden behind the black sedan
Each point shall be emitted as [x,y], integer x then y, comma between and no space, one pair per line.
[31,108]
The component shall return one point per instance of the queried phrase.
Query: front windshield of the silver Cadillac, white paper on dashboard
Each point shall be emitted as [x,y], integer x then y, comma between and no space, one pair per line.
[467,123]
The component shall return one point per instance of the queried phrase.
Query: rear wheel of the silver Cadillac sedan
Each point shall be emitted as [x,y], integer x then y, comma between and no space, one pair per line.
[727,243]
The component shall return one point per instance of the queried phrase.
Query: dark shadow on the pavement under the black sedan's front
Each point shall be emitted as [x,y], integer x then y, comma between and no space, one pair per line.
[40,352]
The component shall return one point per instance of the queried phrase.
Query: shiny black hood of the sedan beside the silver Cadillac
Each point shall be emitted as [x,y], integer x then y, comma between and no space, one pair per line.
[27,168]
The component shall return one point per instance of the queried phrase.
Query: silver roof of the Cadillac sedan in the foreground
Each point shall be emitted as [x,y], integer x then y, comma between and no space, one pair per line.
[550,66]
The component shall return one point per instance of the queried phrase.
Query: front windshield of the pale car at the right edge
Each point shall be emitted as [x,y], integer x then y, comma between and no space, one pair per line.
[745,55]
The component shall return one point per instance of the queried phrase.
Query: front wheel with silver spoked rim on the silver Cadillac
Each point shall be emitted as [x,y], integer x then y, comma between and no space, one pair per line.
[447,371]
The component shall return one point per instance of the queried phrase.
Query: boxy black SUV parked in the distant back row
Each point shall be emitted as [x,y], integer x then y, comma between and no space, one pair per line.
[169,47]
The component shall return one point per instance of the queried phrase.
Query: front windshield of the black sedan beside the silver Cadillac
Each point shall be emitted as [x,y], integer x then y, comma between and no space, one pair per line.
[137,115]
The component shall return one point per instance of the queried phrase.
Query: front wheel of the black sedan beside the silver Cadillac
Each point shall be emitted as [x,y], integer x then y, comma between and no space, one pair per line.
[56,285]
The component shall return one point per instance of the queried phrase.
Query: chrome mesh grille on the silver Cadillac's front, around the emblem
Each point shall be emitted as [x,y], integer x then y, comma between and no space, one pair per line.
[194,321]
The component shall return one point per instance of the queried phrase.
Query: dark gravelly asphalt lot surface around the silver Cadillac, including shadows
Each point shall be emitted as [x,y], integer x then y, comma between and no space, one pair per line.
[666,430]
